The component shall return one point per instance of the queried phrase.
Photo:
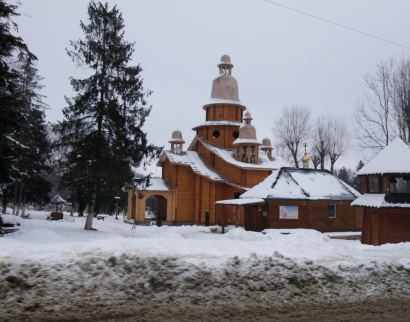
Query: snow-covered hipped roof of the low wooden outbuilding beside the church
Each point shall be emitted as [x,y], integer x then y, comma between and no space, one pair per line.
[307,184]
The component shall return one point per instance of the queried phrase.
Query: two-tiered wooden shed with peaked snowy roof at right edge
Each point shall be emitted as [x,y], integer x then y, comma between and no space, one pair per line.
[386,199]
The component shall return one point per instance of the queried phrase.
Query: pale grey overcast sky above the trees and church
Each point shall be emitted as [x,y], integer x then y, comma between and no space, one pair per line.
[281,57]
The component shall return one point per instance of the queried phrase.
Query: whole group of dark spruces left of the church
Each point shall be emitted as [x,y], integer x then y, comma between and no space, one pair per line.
[95,149]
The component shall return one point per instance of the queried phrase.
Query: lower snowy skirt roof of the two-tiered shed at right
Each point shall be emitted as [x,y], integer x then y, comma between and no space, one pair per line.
[378,200]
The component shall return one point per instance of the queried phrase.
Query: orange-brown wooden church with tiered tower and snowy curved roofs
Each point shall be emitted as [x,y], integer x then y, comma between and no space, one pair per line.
[224,160]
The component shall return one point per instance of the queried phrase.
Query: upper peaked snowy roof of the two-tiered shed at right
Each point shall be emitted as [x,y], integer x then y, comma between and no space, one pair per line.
[394,158]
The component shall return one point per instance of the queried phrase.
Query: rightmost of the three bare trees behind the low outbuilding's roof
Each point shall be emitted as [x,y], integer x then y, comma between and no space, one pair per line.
[339,140]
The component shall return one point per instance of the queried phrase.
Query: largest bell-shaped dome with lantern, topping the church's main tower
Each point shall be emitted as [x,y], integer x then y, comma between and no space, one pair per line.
[225,87]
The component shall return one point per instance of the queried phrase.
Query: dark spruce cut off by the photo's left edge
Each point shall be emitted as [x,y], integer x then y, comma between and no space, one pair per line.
[13,117]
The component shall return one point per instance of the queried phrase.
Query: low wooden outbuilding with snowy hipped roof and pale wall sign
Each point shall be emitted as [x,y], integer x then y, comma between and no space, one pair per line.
[302,198]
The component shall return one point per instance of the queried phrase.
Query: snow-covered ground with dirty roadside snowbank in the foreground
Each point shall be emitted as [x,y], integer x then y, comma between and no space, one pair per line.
[52,266]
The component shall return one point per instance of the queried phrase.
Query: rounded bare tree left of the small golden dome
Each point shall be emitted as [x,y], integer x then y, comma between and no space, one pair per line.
[292,128]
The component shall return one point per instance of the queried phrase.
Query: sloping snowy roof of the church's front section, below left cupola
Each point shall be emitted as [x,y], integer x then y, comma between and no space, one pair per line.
[193,160]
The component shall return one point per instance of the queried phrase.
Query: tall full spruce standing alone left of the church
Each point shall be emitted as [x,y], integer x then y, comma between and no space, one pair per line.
[102,123]
